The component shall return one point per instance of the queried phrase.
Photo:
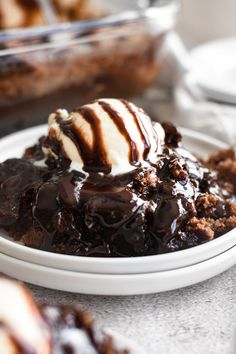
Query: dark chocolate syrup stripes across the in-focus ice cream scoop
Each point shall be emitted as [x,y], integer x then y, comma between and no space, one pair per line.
[95,157]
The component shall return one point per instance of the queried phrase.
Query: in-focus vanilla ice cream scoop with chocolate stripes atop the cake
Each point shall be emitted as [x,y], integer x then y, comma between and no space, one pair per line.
[109,135]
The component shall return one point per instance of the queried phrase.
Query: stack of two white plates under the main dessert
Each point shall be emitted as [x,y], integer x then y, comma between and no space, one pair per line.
[115,276]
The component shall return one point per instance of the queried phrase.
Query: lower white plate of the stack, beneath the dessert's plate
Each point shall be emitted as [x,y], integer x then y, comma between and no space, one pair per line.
[116,284]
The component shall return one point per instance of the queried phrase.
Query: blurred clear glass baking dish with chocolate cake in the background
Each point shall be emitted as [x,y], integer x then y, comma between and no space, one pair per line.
[68,64]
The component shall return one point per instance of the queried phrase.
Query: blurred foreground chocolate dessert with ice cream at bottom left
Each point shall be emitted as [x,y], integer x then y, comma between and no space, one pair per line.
[27,328]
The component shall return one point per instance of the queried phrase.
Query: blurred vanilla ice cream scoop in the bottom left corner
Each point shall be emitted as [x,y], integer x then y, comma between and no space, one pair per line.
[21,319]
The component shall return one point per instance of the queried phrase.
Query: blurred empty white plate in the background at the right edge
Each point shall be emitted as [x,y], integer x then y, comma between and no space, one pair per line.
[214,65]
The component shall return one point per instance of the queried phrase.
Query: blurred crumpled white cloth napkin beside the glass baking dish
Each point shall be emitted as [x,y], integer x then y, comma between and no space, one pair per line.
[181,101]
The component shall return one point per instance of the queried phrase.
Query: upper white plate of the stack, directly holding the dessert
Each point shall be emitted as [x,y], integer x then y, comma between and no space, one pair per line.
[15,144]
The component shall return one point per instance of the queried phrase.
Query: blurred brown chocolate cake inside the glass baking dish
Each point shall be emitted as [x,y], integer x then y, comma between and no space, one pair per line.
[100,67]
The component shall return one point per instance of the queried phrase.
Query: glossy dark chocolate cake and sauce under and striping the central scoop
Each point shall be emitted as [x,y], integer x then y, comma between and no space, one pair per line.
[150,210]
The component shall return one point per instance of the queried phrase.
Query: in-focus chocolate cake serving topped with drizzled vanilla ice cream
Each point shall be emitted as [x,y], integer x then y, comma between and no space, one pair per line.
[108,182]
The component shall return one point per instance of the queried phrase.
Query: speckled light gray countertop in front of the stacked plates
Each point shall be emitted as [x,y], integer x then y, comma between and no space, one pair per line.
[195,320]
